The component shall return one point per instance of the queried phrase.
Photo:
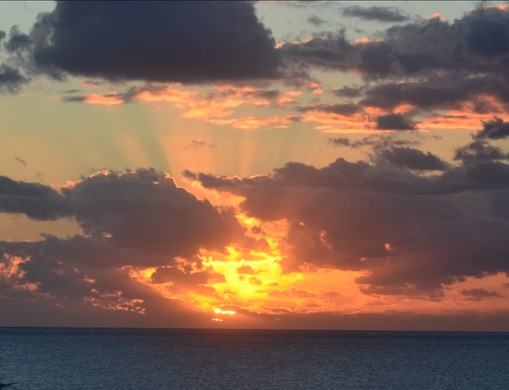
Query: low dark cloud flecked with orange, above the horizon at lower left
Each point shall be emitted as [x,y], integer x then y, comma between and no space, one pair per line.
[86,280]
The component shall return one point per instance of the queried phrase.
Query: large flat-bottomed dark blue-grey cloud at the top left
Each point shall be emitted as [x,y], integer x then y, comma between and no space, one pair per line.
[165,42]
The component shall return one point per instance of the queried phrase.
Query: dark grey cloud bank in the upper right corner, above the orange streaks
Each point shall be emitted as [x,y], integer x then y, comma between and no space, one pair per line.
[428,65]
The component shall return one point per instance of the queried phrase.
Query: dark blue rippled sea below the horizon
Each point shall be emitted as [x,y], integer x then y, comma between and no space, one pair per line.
[87,358]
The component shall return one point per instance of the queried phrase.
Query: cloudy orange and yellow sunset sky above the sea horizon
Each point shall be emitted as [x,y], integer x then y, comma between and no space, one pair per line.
[277,165]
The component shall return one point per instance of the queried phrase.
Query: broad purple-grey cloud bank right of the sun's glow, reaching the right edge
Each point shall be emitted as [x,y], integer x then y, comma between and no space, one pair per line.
[411,234]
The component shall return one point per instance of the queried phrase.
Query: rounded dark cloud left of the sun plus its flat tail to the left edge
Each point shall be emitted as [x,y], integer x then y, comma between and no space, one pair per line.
[142,210]
